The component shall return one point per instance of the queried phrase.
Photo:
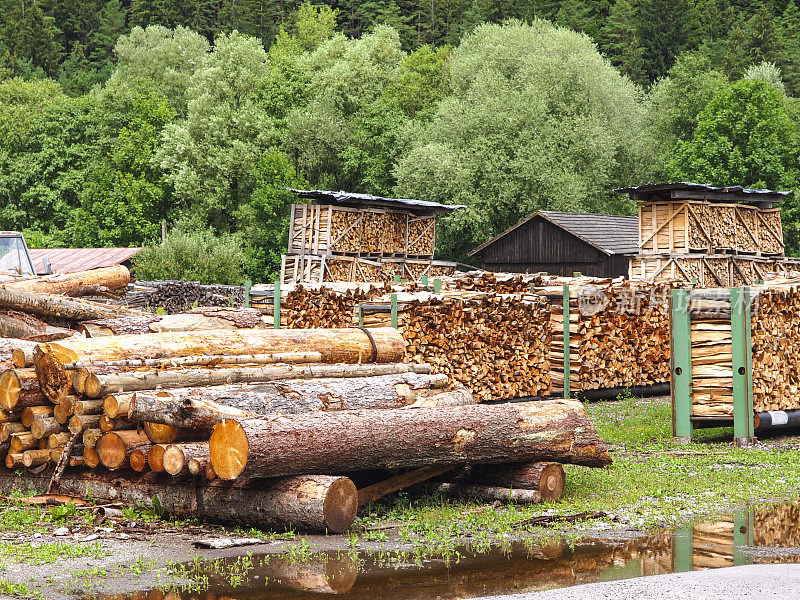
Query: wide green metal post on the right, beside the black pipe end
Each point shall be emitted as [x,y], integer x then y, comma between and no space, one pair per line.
[742,367]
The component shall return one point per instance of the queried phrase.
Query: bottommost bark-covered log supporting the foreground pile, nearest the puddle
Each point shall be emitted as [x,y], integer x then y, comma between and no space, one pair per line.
[308,503]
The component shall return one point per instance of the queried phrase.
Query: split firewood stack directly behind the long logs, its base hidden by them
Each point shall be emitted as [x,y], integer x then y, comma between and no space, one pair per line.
[496,345]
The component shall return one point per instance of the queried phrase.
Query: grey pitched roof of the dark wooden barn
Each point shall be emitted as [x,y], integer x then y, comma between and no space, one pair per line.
[611,234]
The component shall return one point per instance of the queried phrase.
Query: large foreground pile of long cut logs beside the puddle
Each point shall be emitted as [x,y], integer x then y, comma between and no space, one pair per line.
[285,413]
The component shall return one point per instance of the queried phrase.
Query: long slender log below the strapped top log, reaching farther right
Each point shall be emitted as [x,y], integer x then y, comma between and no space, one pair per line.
[101,384]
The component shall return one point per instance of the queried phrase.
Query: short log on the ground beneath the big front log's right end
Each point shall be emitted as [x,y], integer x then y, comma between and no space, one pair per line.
[547,478]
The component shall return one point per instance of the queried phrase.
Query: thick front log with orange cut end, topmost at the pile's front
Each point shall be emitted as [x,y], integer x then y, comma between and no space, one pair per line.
[396,438]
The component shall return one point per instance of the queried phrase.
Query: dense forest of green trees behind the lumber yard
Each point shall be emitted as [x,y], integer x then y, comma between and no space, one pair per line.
[116,115]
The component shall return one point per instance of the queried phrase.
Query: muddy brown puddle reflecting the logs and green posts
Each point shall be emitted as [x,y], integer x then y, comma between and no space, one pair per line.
[761,535]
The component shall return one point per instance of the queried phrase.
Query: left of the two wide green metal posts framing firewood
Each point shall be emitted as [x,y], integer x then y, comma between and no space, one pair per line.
[681,365]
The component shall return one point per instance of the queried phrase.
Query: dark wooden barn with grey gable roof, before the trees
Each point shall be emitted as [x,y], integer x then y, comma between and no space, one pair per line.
[561,243]
